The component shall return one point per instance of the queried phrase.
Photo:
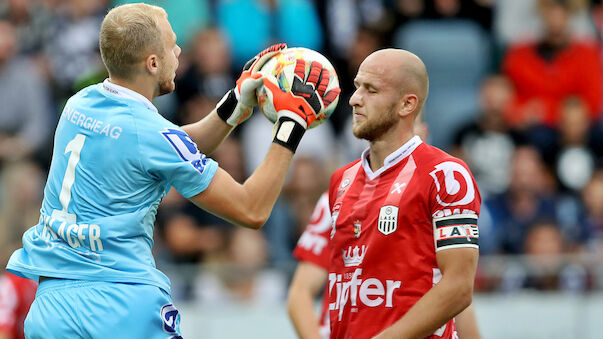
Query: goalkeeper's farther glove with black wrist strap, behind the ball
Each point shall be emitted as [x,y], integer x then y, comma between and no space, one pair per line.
[237,104]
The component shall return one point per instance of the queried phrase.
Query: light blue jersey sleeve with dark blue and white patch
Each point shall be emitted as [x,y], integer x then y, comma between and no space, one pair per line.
[169,154]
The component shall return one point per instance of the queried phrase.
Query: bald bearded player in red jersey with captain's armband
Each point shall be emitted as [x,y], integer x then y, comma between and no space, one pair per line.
[404,239]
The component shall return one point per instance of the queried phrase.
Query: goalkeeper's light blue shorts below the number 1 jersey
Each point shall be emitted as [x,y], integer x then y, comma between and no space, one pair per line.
[93,309]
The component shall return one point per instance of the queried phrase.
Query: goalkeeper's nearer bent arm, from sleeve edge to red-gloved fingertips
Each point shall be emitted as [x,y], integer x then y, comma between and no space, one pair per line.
[249,204]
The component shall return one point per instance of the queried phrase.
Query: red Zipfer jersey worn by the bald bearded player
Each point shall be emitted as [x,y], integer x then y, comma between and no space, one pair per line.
[387,227]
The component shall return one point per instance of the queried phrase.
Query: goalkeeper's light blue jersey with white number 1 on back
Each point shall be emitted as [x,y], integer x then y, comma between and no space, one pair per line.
[114,159]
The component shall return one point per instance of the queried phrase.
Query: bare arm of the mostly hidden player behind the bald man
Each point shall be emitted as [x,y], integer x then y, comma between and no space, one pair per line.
[309,279]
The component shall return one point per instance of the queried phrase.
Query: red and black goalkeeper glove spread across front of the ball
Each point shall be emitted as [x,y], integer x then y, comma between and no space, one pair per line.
[307,98]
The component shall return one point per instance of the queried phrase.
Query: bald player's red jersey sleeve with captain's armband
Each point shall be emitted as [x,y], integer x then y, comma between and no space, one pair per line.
[454,202]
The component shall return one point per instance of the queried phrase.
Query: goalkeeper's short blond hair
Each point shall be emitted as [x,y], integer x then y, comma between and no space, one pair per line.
[128,34]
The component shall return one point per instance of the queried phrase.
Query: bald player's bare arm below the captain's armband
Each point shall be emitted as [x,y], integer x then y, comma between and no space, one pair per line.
[445,300]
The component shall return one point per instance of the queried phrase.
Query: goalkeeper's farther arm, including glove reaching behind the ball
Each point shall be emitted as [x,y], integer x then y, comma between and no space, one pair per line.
[235,107]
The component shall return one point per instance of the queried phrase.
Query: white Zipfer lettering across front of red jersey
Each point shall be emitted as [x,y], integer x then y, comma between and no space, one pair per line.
[372,292]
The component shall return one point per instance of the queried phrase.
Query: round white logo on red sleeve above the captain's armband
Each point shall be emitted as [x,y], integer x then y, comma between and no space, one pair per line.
[452,186]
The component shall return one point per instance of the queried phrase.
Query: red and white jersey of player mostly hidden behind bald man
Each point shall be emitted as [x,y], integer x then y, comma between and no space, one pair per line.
[312,246]
